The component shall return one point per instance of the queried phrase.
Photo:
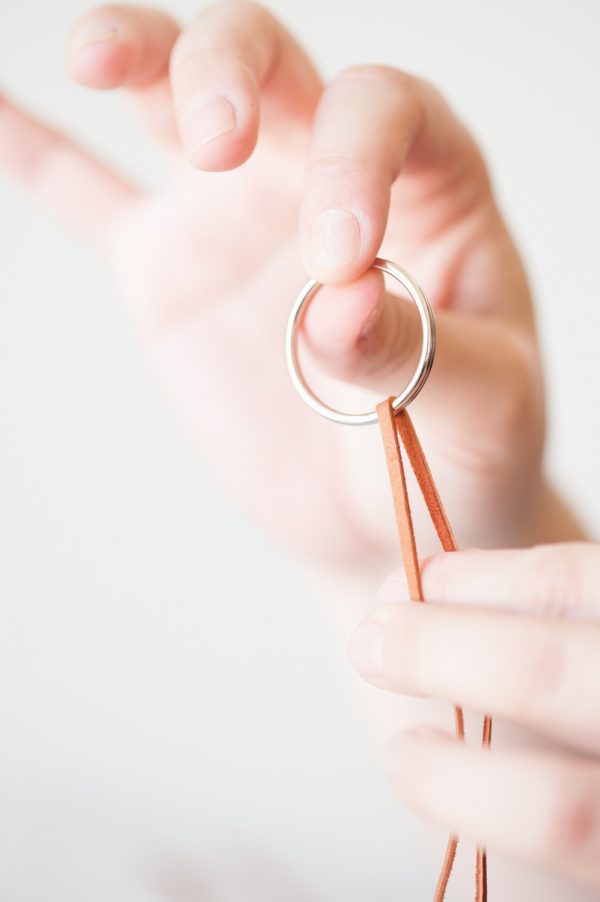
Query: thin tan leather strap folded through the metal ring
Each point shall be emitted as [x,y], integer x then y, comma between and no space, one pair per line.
[397,428]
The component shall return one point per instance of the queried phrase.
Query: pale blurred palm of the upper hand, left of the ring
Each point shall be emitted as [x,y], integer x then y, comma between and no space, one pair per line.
[210,266]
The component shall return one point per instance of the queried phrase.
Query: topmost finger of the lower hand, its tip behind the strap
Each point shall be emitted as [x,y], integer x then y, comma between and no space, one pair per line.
[550,580]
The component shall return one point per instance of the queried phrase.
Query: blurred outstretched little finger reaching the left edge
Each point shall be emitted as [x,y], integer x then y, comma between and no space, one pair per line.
[60,174]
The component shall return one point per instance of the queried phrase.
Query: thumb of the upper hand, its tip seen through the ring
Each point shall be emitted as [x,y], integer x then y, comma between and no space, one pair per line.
[486,371]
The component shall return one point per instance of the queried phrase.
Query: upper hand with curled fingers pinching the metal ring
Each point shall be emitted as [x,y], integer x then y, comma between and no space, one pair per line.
[209,266]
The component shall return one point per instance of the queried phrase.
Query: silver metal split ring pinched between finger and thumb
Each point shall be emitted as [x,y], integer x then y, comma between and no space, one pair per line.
[409,393]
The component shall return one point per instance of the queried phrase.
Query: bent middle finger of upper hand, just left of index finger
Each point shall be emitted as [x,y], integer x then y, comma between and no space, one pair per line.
[235,58]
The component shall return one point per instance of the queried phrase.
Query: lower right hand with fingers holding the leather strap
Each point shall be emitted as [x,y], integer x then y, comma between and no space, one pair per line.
[531,656]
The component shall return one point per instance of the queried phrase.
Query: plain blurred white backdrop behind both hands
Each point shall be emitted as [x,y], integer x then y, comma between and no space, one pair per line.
[142,737]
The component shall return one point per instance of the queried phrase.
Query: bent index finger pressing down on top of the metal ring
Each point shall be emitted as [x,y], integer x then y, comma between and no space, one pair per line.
[371,123]
